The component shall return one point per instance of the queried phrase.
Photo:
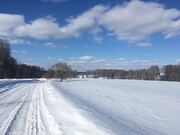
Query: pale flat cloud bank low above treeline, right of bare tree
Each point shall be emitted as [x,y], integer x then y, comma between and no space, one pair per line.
[84,63]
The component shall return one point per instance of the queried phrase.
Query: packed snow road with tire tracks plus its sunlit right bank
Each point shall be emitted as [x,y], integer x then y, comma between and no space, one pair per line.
[36,108]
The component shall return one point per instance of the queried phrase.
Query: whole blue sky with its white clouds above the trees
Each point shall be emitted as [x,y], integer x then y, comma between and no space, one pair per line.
[92,34]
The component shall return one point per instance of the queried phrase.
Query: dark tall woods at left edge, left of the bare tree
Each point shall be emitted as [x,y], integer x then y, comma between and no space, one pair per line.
[9,68]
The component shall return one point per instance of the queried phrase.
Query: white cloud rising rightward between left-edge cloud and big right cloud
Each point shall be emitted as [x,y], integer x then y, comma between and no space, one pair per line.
[47,28]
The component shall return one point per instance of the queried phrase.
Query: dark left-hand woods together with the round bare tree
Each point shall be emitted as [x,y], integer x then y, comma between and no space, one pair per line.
[10,68]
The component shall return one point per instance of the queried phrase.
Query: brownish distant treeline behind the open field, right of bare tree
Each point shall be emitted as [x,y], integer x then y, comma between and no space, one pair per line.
[168,73]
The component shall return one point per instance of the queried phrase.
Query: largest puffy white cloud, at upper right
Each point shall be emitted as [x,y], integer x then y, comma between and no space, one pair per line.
[137,20]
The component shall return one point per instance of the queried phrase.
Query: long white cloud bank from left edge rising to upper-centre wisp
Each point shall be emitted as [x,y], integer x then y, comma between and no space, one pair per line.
[48,28]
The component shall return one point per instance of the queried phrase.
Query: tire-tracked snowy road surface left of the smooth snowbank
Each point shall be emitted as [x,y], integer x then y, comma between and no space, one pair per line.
[23,112]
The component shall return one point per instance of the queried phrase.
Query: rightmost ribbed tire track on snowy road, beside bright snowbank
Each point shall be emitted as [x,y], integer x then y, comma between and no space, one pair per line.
[39,120]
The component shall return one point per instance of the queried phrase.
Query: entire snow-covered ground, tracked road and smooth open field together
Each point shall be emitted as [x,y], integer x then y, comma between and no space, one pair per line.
[89,107]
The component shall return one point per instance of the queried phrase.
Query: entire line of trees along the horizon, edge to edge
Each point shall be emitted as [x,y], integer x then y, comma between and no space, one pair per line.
[10,68]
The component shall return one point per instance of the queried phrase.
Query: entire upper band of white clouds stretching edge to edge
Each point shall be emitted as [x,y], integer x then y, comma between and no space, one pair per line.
[132,21]
